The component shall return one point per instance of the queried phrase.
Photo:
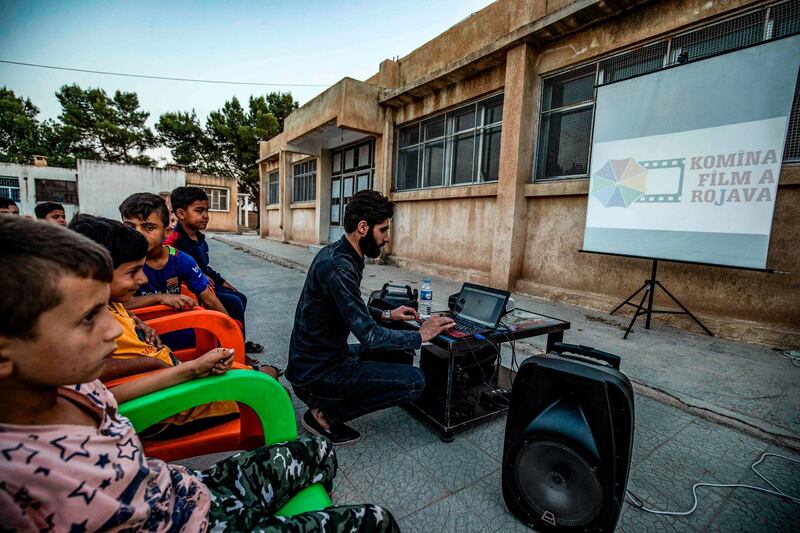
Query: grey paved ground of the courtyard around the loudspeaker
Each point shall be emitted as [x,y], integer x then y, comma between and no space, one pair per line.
[706,409]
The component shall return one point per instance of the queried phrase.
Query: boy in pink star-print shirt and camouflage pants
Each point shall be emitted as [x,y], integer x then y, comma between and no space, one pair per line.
[71,462]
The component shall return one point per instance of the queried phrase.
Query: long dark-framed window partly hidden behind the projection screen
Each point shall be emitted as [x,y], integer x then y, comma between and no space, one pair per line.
[567,103]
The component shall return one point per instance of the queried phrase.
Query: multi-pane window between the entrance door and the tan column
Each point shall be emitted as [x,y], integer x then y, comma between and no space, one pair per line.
[455,148]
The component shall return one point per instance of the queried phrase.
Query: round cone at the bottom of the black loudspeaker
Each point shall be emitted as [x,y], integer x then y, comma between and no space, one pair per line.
[558,483]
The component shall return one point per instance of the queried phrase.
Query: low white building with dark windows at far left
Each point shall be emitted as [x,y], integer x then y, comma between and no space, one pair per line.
[29,185]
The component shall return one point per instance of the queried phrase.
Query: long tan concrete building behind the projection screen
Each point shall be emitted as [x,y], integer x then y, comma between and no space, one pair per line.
[482,138]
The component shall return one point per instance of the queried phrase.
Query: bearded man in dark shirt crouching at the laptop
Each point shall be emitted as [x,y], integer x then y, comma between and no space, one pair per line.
[339,382]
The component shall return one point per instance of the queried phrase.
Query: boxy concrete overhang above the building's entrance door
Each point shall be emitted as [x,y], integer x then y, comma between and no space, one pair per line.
[346,111]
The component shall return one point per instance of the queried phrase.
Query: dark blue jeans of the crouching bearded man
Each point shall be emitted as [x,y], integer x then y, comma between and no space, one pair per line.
[362,384]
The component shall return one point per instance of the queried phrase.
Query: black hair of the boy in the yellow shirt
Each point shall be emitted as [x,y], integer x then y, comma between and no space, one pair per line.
[125,244]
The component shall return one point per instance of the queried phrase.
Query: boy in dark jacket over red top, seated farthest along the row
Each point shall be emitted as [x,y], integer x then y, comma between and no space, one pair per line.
[190,206]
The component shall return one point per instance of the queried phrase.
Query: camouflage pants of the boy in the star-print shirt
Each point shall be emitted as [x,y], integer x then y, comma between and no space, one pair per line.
[248,488]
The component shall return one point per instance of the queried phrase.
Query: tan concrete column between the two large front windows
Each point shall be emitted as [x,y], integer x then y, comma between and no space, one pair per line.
[516,157]
